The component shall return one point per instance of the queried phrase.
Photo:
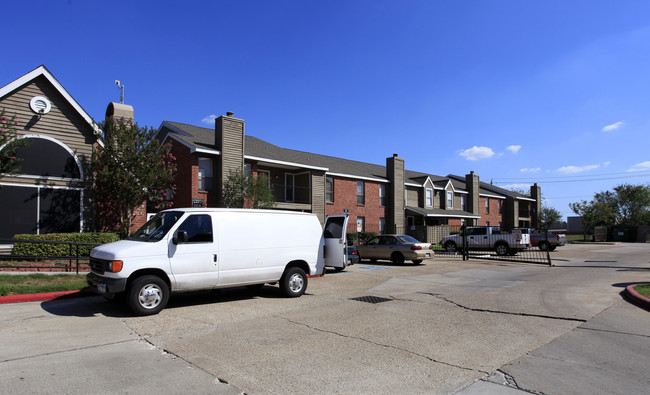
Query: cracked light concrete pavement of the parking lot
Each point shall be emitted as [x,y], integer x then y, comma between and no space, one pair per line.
[447,326]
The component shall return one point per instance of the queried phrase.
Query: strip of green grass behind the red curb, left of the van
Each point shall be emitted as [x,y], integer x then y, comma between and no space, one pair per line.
[40,283]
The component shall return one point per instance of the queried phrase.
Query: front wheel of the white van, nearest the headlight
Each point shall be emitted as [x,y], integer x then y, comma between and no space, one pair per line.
[147,295]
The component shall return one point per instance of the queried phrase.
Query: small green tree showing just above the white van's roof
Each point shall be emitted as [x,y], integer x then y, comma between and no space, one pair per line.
[244,191]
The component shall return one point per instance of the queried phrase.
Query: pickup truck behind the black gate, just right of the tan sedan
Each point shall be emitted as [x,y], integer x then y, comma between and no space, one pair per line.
[486,238]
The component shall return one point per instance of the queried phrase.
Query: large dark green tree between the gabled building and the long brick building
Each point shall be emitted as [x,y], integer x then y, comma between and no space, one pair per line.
[132,168]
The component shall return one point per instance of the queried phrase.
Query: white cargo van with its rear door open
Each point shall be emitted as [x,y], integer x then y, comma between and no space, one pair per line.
[193,249]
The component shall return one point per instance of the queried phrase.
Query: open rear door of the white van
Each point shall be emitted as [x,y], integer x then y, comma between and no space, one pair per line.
[334,242]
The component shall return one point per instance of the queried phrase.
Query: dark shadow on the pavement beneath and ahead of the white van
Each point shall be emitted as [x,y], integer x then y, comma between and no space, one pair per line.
[91,306]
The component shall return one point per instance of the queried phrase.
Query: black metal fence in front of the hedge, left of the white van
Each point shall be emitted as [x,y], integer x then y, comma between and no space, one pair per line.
[77,256]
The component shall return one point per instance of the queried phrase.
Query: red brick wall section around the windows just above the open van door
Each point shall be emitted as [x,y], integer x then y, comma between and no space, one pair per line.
[345,197]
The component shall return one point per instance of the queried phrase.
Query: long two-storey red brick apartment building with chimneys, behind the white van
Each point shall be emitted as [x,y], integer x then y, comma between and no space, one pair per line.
[378,198]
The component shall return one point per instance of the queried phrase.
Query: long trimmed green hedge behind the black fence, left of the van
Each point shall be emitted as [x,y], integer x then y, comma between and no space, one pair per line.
[38,249]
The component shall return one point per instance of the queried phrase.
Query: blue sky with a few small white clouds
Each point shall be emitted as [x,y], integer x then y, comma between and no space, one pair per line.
[553,92]
